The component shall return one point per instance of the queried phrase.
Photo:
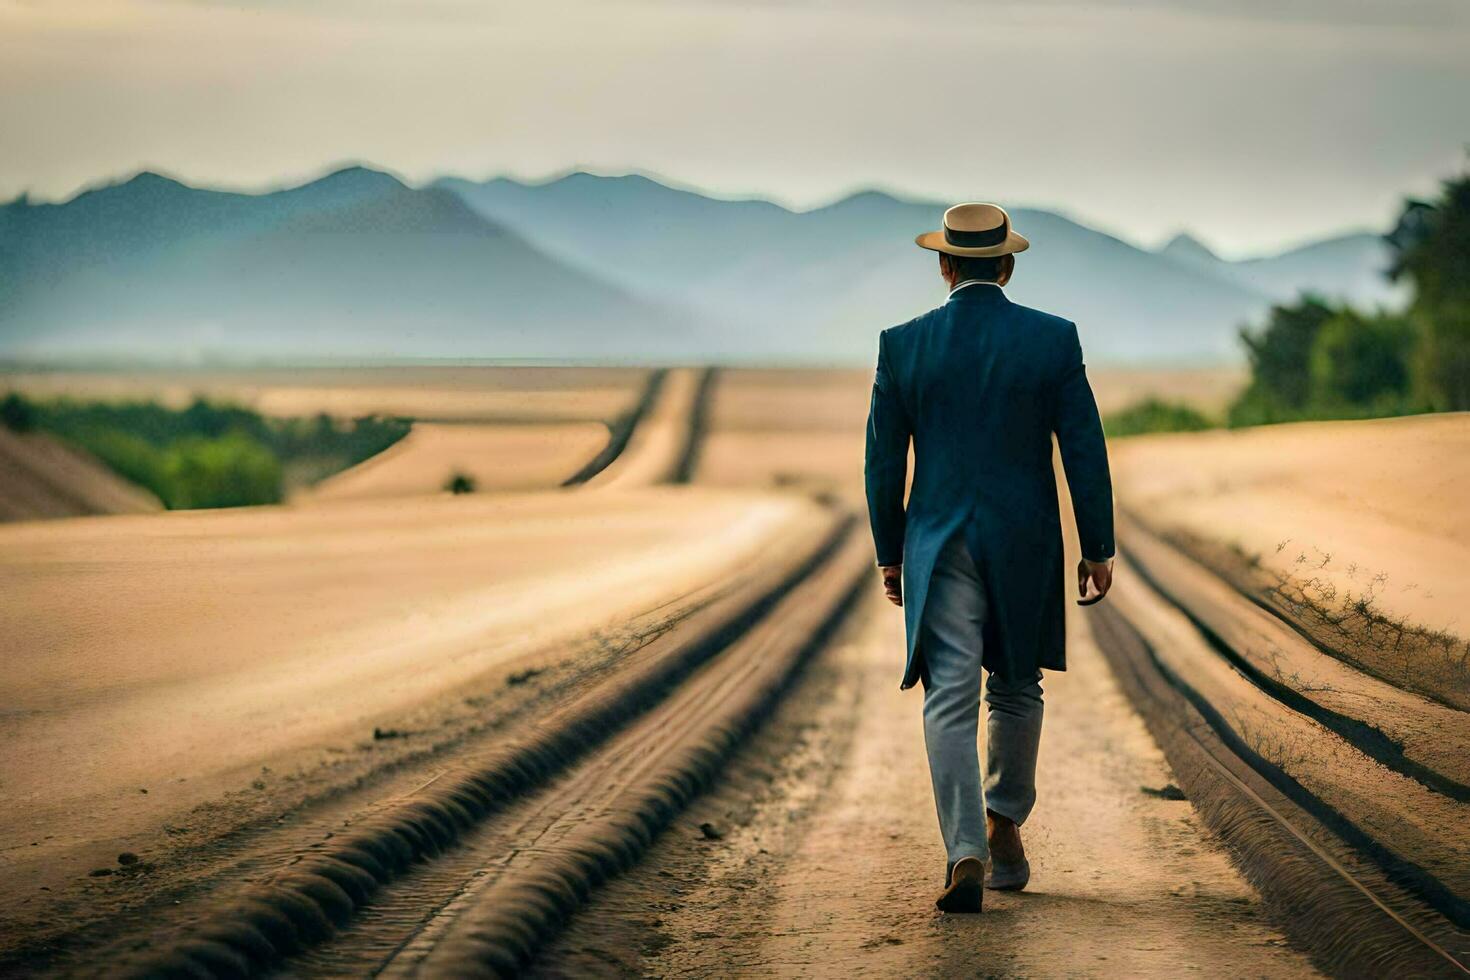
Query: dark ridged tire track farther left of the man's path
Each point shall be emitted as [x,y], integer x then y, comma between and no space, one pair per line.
[306,903]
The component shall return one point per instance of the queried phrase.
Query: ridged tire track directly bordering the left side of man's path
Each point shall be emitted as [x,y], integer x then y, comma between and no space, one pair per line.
[602,821]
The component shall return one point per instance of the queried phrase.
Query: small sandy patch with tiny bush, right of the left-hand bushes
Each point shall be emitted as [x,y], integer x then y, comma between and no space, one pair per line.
[496,458]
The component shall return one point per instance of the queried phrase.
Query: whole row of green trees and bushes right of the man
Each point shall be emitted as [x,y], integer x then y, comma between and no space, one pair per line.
[1315,359]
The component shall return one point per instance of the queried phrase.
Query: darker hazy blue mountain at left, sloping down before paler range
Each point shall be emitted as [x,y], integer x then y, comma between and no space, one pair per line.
[354,265]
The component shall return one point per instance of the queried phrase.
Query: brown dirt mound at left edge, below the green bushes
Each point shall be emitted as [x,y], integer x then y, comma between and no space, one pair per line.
[42,478]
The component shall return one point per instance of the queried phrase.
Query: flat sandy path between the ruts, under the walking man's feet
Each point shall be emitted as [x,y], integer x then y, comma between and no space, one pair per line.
[830,856]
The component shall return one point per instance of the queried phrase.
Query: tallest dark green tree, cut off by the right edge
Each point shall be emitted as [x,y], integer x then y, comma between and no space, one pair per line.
[1433,251]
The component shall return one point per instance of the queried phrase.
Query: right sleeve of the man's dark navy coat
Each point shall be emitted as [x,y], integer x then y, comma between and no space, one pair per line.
[1084,455]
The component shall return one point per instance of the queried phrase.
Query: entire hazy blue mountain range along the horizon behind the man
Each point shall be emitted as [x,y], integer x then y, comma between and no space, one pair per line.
[583,268]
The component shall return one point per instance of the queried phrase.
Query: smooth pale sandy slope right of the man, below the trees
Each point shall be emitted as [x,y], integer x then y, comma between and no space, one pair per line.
[1344,502]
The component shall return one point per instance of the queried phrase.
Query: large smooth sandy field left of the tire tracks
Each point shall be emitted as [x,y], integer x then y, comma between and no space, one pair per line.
[155,665]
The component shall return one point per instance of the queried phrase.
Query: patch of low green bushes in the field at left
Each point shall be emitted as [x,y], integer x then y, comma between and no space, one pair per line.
[209,455]
